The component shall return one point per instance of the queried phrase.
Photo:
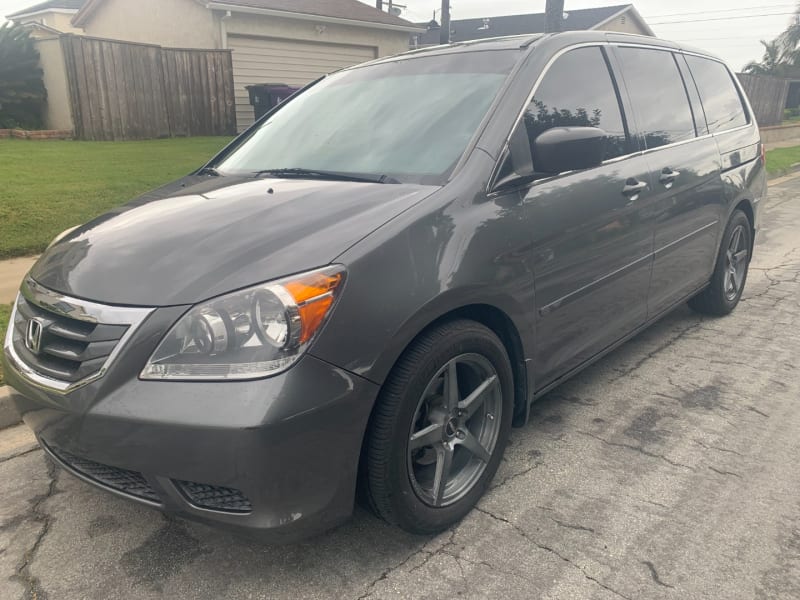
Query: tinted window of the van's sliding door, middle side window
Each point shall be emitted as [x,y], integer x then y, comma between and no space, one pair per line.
[658,95]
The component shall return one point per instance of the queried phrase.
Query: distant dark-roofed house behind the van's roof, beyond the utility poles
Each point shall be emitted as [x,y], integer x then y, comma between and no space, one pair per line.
[624,18]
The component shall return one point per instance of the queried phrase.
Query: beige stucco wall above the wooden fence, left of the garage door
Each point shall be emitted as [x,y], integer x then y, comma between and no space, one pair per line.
[171,23]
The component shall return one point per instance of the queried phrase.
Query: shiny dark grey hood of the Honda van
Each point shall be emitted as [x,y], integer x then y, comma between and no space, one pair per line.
[204,236]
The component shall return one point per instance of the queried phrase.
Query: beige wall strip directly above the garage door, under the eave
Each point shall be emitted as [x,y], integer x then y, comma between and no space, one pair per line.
[386,42]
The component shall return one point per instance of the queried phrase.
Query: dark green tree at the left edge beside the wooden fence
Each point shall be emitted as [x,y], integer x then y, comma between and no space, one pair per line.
[22,91]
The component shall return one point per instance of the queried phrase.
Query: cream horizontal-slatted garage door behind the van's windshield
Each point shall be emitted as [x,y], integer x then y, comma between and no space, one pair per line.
[268,60]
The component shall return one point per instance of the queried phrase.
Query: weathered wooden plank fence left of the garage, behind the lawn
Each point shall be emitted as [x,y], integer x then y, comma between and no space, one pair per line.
[127,91]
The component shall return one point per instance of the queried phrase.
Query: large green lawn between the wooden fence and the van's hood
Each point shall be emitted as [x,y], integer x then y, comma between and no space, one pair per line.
[49,186]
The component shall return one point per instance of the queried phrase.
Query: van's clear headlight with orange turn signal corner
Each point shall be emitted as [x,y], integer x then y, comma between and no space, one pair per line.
[249,334]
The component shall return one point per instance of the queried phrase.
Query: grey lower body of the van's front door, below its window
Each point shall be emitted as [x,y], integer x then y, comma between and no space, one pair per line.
[592,262]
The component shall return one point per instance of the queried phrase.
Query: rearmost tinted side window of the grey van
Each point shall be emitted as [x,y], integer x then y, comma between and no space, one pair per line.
[721,101]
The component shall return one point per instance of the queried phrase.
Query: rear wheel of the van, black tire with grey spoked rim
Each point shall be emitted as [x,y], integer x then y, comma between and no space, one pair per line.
[719,299]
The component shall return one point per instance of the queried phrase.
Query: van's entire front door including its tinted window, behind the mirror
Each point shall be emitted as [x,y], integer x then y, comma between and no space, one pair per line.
[592,230]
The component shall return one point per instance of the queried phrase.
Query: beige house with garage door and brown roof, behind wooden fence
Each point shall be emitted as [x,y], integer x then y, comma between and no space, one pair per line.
[272,41]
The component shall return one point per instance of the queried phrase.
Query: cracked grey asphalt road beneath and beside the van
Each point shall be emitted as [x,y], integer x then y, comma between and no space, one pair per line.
[668,470]
